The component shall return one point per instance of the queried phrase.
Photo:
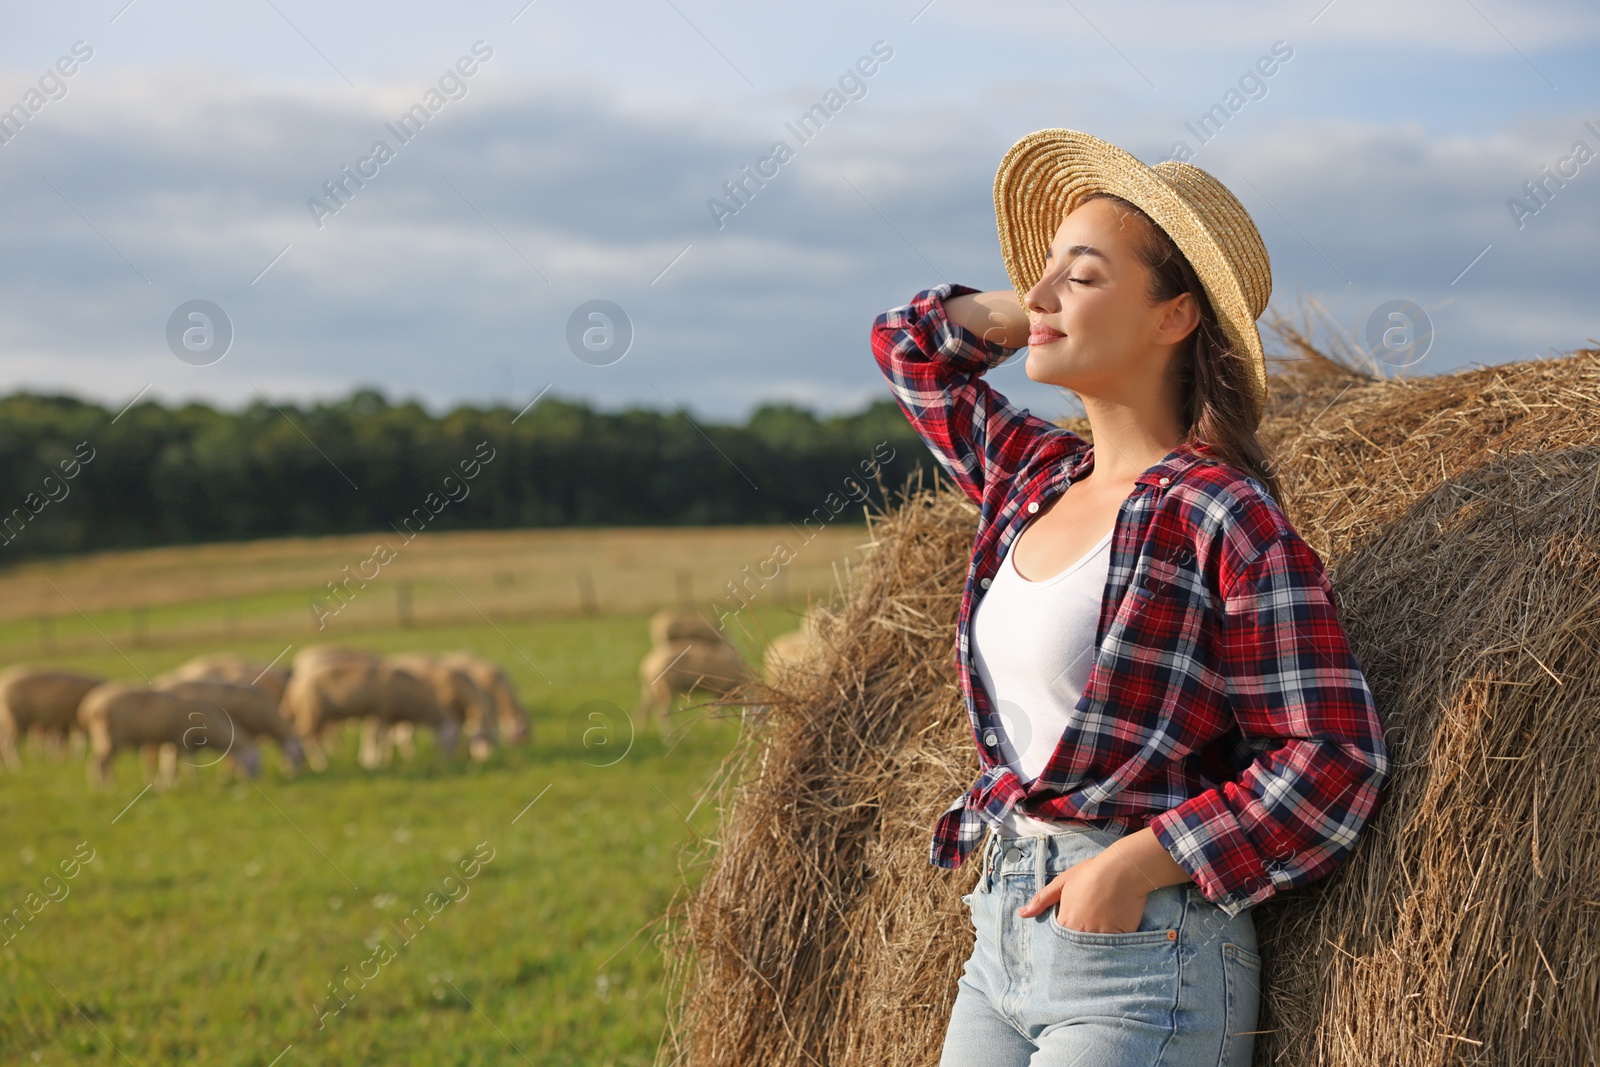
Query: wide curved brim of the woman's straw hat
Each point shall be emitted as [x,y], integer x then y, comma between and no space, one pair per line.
[1046,175]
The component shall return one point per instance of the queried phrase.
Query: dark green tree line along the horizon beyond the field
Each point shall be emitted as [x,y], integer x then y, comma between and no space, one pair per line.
[76,476]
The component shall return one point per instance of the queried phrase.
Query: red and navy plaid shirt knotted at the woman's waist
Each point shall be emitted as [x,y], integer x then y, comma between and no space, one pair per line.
[1225,708]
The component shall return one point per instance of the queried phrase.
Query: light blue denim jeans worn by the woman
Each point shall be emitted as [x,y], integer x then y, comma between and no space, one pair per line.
[1180,991]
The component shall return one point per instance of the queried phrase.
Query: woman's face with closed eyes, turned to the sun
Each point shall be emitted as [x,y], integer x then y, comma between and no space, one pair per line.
[1094,330]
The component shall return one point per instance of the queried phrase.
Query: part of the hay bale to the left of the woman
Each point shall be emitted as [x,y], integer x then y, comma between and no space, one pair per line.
[785,929]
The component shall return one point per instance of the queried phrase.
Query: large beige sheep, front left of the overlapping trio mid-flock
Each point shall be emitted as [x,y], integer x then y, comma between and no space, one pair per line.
[334,685]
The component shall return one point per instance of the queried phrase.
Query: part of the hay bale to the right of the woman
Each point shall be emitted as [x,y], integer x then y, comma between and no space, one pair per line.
[1462,516]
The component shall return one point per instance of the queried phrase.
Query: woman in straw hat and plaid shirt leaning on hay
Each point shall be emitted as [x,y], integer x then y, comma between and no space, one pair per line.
[1169,717]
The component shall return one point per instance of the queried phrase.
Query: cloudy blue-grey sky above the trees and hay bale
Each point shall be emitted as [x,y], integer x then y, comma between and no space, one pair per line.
[162,234]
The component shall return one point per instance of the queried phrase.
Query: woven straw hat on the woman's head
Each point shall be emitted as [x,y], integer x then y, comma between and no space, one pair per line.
[1047,175]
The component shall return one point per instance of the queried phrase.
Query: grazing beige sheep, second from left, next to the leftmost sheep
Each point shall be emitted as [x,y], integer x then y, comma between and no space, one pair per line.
[119,716]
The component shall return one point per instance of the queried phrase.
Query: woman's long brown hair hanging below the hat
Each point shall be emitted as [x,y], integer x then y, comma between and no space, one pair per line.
[1218,407]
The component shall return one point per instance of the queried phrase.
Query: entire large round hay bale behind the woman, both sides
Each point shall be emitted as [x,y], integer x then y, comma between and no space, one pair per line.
[1460,518]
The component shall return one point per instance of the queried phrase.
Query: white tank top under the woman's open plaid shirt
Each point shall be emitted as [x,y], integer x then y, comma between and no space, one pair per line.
[1034,647]
